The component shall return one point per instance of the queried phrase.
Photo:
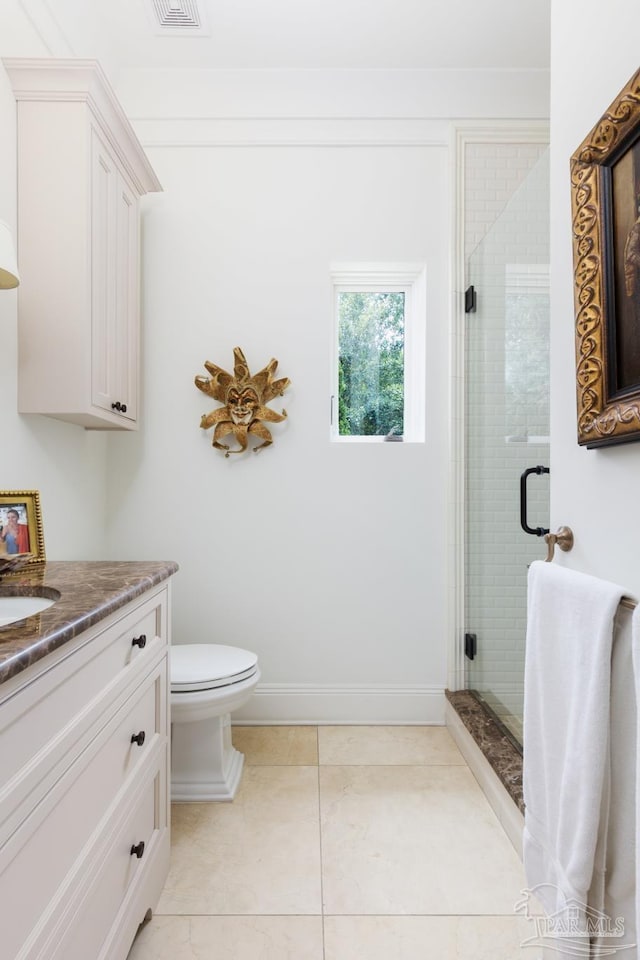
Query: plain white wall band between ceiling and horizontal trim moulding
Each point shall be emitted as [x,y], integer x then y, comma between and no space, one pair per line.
[347,94]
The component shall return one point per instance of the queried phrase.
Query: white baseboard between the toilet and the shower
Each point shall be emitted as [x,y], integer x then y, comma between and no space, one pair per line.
[312,703]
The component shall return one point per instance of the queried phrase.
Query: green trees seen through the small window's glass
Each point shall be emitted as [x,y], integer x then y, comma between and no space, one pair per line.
[371,330]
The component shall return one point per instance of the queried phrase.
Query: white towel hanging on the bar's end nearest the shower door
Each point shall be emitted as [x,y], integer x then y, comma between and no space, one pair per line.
[566,730]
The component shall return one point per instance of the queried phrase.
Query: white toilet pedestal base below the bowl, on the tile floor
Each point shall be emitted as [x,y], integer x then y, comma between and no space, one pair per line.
[204,763]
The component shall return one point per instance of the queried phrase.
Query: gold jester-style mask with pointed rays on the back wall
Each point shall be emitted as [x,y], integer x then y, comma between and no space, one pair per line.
[244,398]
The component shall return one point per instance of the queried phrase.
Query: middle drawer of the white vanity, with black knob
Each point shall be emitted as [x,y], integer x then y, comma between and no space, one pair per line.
[45,849]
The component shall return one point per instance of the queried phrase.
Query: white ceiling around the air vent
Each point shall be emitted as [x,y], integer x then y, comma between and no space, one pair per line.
[311,34]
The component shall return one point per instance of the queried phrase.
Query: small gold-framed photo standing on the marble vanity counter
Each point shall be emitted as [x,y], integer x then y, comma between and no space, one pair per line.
[21,533]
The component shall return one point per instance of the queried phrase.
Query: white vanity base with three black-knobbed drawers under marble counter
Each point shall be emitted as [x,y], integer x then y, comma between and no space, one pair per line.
[84,797]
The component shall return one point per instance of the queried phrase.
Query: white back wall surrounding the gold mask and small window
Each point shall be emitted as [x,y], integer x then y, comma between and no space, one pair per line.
[327,559]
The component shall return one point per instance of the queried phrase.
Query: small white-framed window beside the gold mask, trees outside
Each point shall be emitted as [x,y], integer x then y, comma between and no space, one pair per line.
[378,389]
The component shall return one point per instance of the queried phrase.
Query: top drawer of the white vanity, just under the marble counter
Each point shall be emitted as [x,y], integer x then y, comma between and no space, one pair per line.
[44,720]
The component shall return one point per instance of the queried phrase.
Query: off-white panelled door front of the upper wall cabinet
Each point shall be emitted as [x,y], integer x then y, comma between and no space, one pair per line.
[114,285]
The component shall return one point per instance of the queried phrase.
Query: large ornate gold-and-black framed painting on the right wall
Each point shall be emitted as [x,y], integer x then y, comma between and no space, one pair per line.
[605,191]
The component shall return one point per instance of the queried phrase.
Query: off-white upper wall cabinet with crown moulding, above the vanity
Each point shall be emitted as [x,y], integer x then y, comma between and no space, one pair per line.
[81,174]
